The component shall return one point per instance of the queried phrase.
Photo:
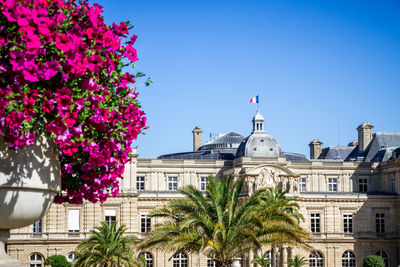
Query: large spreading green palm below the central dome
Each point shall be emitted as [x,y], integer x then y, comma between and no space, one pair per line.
[221,223]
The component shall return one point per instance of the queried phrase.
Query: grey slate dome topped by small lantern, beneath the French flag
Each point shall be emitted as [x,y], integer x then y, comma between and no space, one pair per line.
[259,143]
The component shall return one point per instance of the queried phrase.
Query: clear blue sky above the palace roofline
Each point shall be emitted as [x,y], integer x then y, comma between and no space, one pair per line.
[320,68]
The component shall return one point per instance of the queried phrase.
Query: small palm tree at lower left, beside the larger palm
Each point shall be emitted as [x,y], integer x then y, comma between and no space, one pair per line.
[107,246]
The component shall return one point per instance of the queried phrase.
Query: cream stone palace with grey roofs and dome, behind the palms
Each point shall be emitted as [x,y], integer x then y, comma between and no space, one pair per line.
[347,194]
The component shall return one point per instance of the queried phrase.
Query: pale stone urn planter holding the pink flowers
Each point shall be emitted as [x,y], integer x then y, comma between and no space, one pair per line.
[29,179]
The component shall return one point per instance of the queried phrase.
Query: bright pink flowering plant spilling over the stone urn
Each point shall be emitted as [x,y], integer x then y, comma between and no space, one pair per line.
[61,75]
